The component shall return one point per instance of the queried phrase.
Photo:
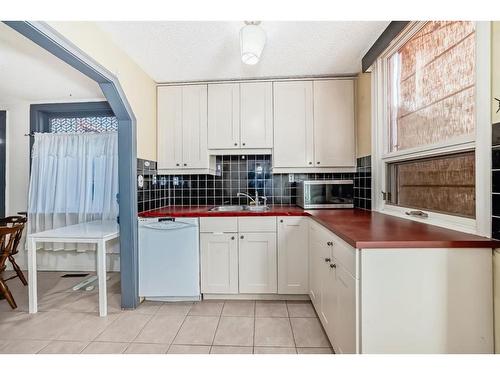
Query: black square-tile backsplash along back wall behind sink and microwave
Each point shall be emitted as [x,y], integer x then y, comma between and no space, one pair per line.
[237,173]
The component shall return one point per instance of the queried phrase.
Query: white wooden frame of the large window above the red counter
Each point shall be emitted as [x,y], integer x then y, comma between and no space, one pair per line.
[480,142]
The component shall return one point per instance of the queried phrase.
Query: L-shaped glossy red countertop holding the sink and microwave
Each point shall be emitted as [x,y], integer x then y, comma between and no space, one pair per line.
[361,229]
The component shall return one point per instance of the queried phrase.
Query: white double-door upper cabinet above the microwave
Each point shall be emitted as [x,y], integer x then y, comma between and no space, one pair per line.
[314,126]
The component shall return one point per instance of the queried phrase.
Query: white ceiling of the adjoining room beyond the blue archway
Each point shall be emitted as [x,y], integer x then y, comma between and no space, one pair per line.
[29,73]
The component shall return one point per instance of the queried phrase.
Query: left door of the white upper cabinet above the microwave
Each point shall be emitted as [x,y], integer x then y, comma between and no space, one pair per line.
[293,124]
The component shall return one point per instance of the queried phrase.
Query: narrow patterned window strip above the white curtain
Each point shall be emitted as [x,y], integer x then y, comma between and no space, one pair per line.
[95,124]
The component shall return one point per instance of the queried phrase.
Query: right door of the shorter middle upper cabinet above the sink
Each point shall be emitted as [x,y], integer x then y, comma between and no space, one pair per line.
[256,105]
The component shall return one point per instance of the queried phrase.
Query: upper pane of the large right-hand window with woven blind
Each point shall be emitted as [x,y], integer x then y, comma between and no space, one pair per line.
[432,80]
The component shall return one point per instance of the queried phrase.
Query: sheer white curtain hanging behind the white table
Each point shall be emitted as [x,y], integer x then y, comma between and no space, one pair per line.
[74,179]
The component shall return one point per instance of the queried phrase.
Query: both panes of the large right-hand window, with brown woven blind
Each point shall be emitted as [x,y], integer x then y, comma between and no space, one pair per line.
[430,81]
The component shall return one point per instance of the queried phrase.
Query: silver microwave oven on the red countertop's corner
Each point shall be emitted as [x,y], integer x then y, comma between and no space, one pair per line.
[325,194]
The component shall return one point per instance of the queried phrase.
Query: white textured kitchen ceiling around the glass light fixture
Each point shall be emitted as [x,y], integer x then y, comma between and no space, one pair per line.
[191,51]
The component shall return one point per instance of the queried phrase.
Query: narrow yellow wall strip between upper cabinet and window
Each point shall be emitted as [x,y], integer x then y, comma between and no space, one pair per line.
[363,113]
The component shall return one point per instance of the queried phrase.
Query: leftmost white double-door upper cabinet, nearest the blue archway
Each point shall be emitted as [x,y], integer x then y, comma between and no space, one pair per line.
[182,128]
